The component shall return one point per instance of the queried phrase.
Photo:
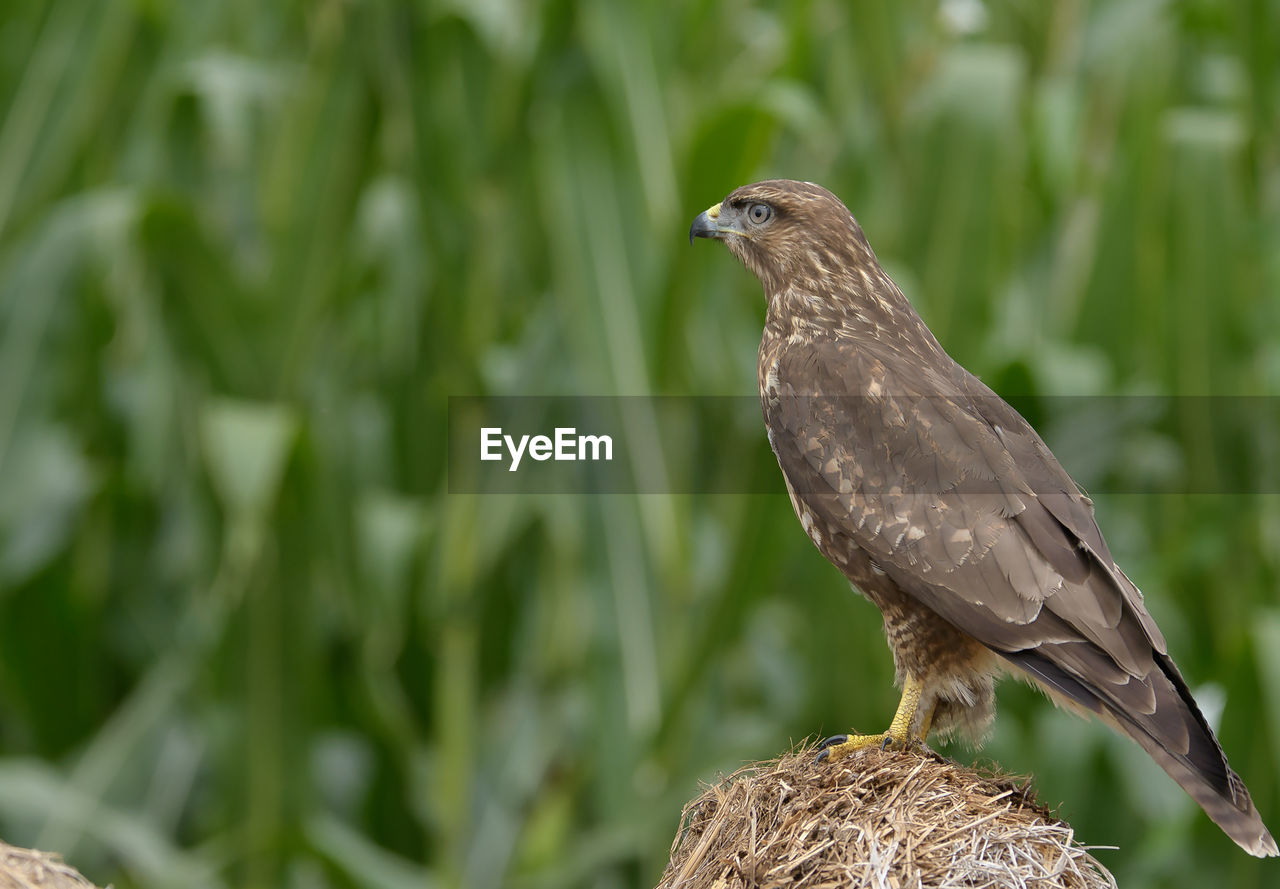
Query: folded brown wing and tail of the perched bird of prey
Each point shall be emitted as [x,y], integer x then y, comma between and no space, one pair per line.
[963,506]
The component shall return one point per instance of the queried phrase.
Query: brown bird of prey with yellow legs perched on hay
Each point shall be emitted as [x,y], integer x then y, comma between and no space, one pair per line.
[947,510]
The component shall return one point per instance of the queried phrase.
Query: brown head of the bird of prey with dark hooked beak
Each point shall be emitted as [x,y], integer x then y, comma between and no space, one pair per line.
[789,233]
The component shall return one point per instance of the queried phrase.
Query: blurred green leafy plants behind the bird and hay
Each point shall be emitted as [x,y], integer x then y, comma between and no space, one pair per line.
[249,251]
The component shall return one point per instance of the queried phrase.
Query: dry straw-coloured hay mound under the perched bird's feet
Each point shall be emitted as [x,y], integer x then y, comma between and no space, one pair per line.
[879,819]
